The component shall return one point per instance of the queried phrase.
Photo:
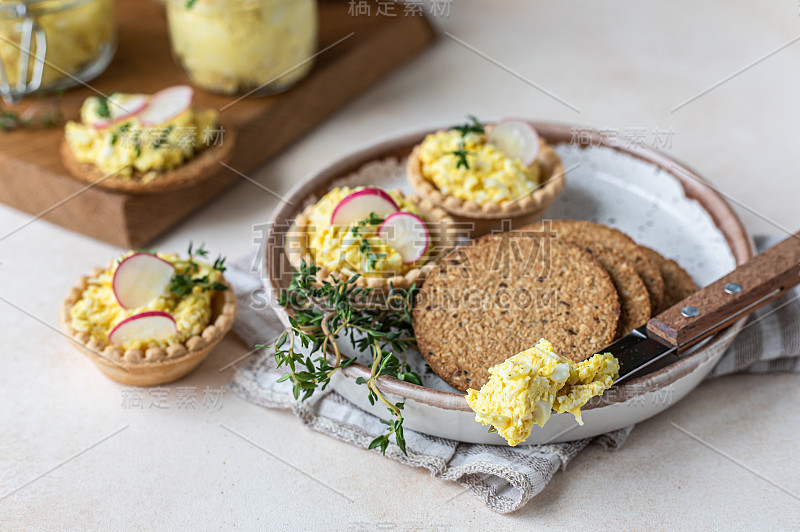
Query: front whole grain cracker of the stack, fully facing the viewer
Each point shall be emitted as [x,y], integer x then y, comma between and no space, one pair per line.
[500,294]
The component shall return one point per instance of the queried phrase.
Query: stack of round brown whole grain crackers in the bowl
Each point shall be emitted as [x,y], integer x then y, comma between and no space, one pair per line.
[579,284]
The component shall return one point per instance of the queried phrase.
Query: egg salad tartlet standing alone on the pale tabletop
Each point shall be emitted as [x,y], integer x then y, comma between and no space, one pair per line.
[150,318]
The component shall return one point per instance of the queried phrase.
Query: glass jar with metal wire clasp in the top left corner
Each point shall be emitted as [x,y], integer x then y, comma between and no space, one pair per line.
[53,44]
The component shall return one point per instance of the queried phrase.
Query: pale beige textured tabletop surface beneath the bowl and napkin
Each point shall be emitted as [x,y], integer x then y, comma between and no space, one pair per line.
[624,64]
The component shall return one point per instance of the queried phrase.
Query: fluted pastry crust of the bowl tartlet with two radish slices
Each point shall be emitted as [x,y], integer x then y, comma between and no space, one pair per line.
[441,229]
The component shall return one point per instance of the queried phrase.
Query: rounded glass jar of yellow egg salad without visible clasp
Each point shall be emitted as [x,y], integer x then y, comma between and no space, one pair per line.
[243,46]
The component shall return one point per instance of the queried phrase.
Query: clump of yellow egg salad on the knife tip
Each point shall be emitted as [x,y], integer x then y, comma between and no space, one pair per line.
[525,389]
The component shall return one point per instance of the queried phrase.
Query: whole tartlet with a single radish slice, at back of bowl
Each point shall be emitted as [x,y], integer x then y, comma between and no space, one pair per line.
[484,175]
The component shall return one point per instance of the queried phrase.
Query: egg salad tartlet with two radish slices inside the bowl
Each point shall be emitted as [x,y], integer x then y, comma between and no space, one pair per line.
[381,236]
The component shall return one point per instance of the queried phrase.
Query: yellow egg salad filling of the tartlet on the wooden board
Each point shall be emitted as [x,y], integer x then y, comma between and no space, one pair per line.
[127,145]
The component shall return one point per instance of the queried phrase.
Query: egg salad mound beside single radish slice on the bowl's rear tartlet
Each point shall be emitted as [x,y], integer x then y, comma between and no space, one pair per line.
[487,176]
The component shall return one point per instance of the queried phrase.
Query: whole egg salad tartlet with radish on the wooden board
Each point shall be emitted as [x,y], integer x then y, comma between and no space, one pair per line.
[141,143]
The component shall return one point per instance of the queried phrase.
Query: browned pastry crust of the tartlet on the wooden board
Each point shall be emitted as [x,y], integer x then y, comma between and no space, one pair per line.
[203,164]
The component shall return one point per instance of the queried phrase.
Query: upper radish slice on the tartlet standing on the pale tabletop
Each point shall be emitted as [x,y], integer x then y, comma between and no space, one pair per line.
[141,278]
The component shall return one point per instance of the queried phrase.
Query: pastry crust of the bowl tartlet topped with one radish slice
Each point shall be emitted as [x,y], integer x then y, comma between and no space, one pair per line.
[489,216]
